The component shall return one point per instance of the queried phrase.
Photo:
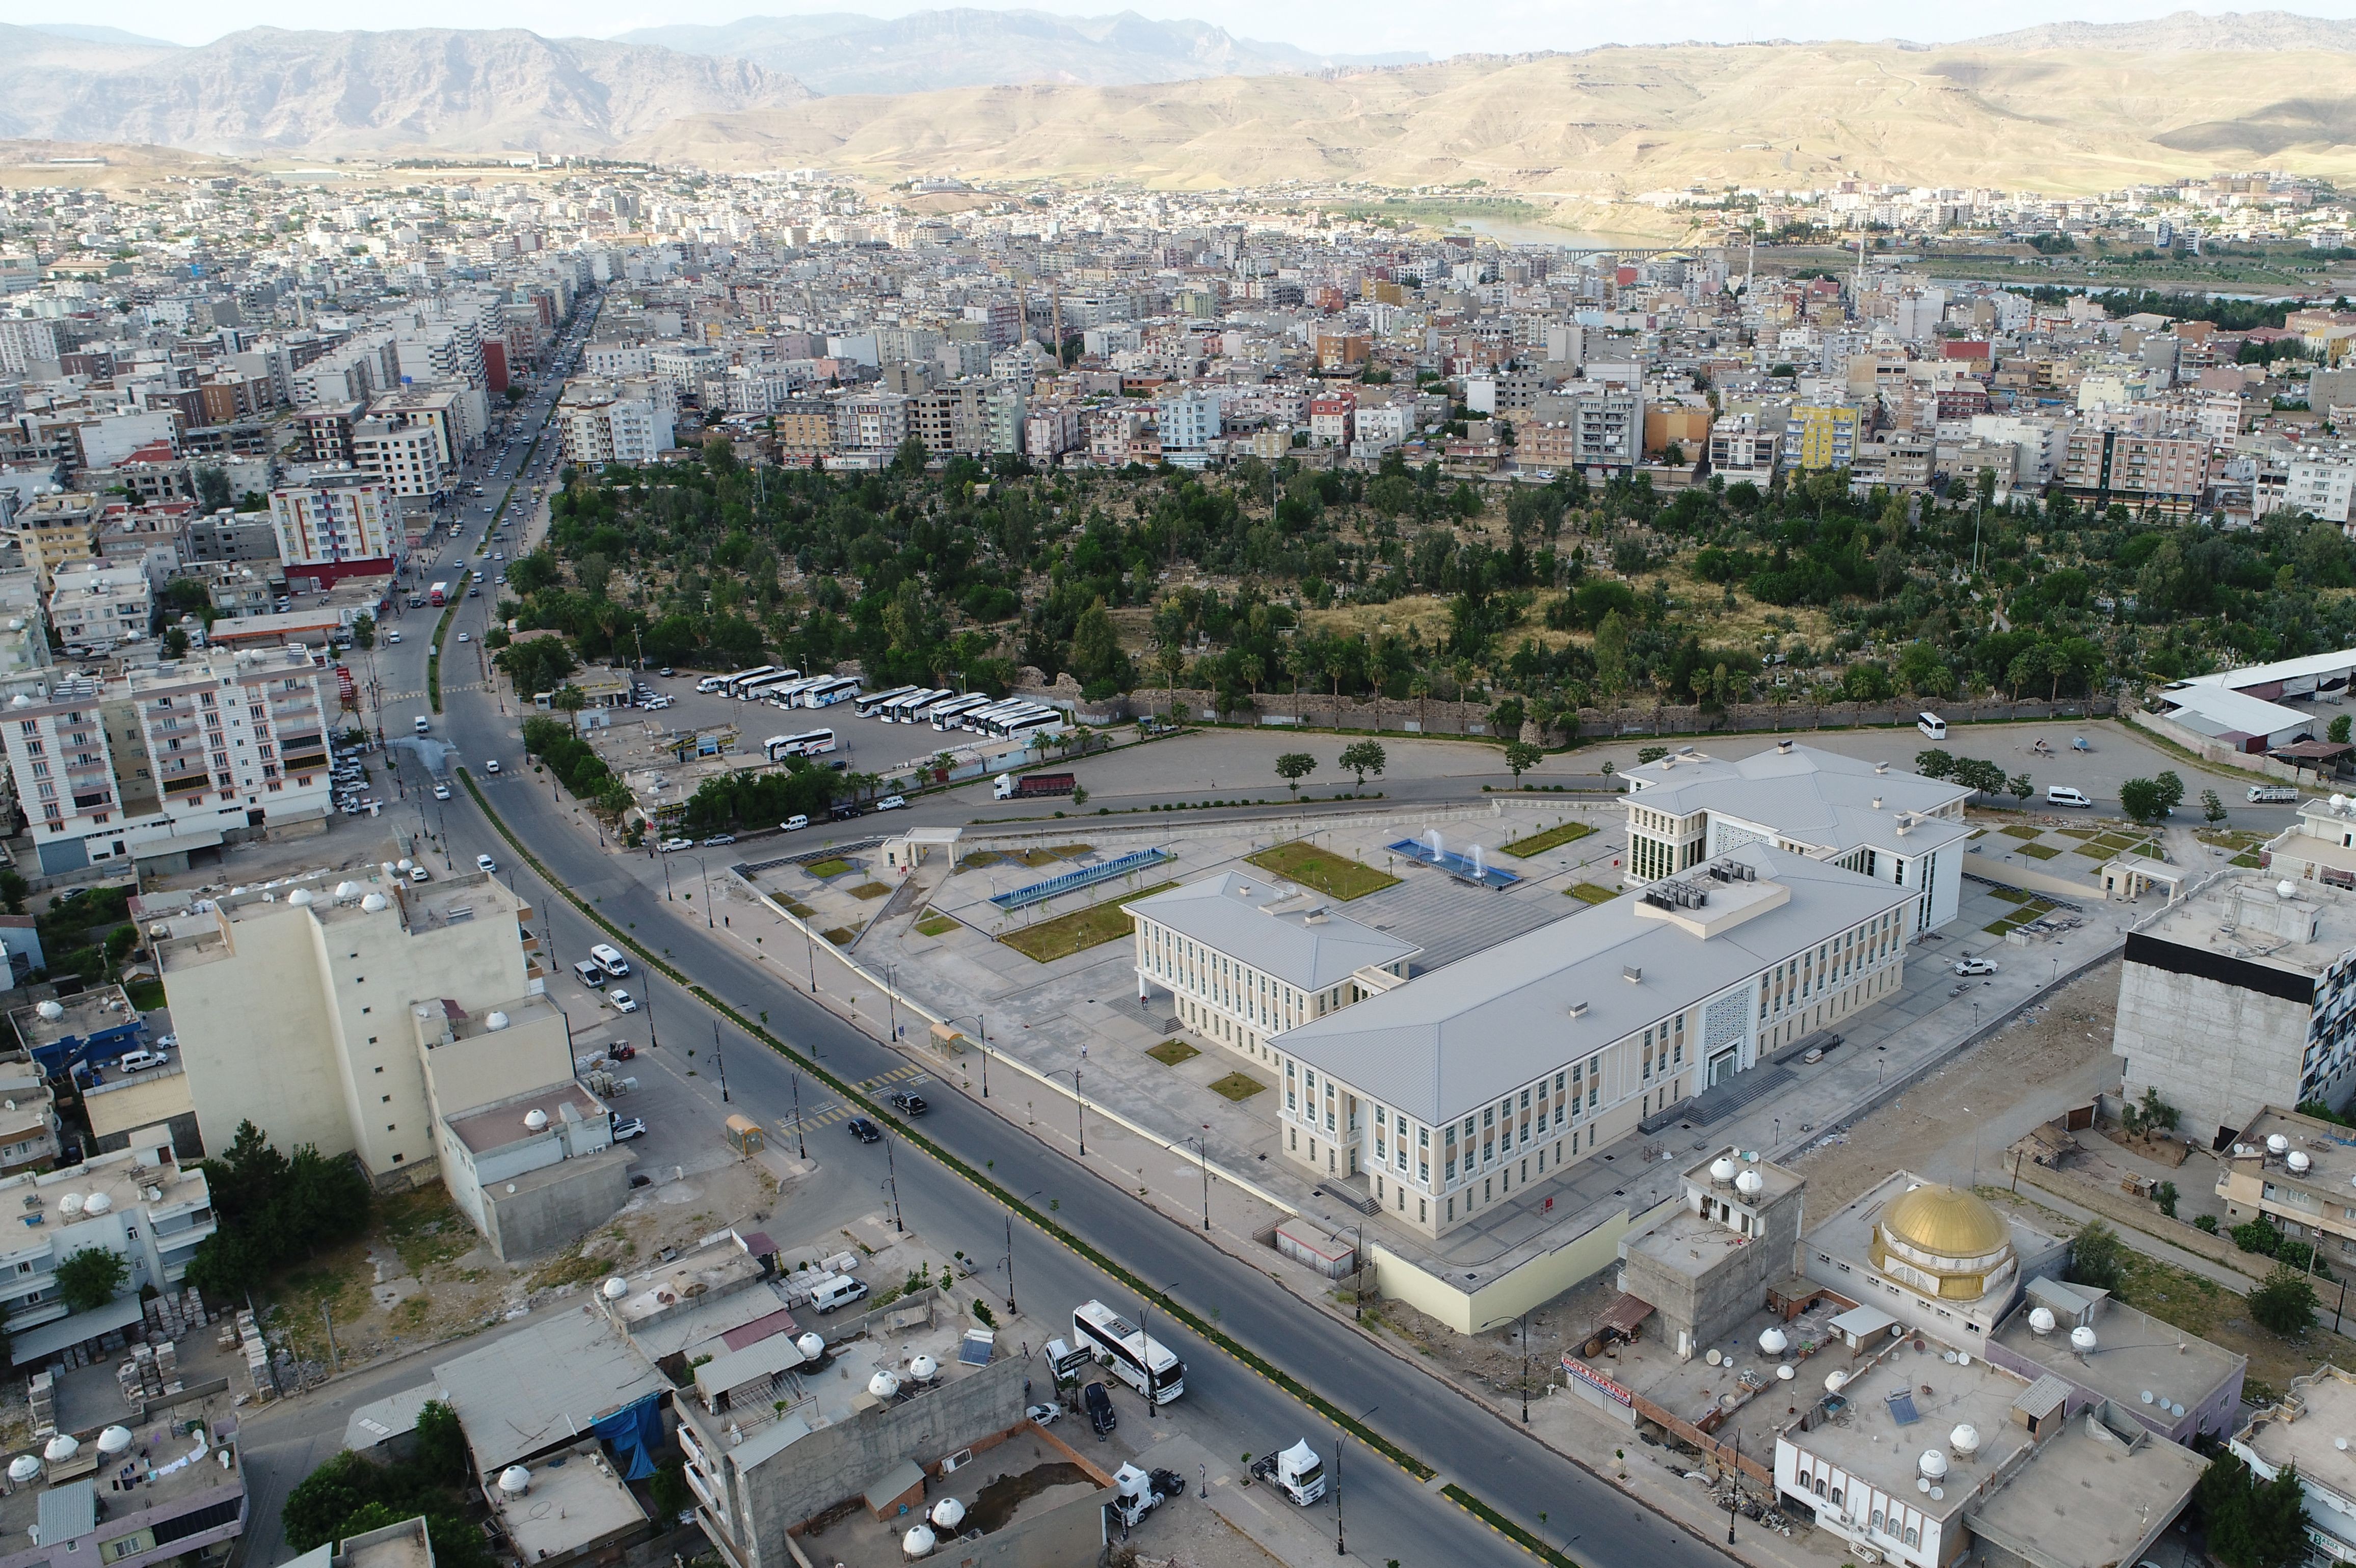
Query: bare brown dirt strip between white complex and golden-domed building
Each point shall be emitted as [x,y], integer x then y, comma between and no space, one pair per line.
[2027,1075]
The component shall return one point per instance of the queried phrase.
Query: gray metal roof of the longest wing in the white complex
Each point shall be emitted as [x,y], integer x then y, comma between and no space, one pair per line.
[1493,1023]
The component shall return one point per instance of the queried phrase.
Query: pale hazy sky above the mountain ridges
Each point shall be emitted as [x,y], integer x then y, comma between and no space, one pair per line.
[1325,25]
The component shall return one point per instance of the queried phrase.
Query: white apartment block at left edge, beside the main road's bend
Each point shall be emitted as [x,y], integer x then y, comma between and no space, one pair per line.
[168,757]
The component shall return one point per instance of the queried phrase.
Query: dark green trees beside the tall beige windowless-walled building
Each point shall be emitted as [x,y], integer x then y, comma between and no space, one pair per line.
[274,1211]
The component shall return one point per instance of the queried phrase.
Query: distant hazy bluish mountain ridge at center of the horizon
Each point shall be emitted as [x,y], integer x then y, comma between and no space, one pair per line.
[974,48]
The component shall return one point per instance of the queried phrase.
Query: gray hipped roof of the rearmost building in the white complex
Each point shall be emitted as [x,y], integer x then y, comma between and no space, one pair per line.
[1811,797]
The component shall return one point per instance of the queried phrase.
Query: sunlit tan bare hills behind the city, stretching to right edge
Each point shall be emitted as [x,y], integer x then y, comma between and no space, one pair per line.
[1606,121]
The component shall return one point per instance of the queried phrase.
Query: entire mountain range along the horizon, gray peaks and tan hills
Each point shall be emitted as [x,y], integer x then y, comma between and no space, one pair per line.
[2063,107]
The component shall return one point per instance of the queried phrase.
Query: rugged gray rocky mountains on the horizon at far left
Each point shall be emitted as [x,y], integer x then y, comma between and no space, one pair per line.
[340,93]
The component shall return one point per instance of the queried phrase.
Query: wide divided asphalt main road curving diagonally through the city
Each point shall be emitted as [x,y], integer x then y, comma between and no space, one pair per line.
[1391,1513]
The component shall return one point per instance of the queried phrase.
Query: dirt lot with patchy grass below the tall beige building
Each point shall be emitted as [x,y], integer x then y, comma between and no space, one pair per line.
[423,1275]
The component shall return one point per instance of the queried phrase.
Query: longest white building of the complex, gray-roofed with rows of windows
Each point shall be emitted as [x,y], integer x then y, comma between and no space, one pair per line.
[1500,1070]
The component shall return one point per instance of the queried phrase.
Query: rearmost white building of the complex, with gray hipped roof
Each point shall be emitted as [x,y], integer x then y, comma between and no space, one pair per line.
[1877,820]
